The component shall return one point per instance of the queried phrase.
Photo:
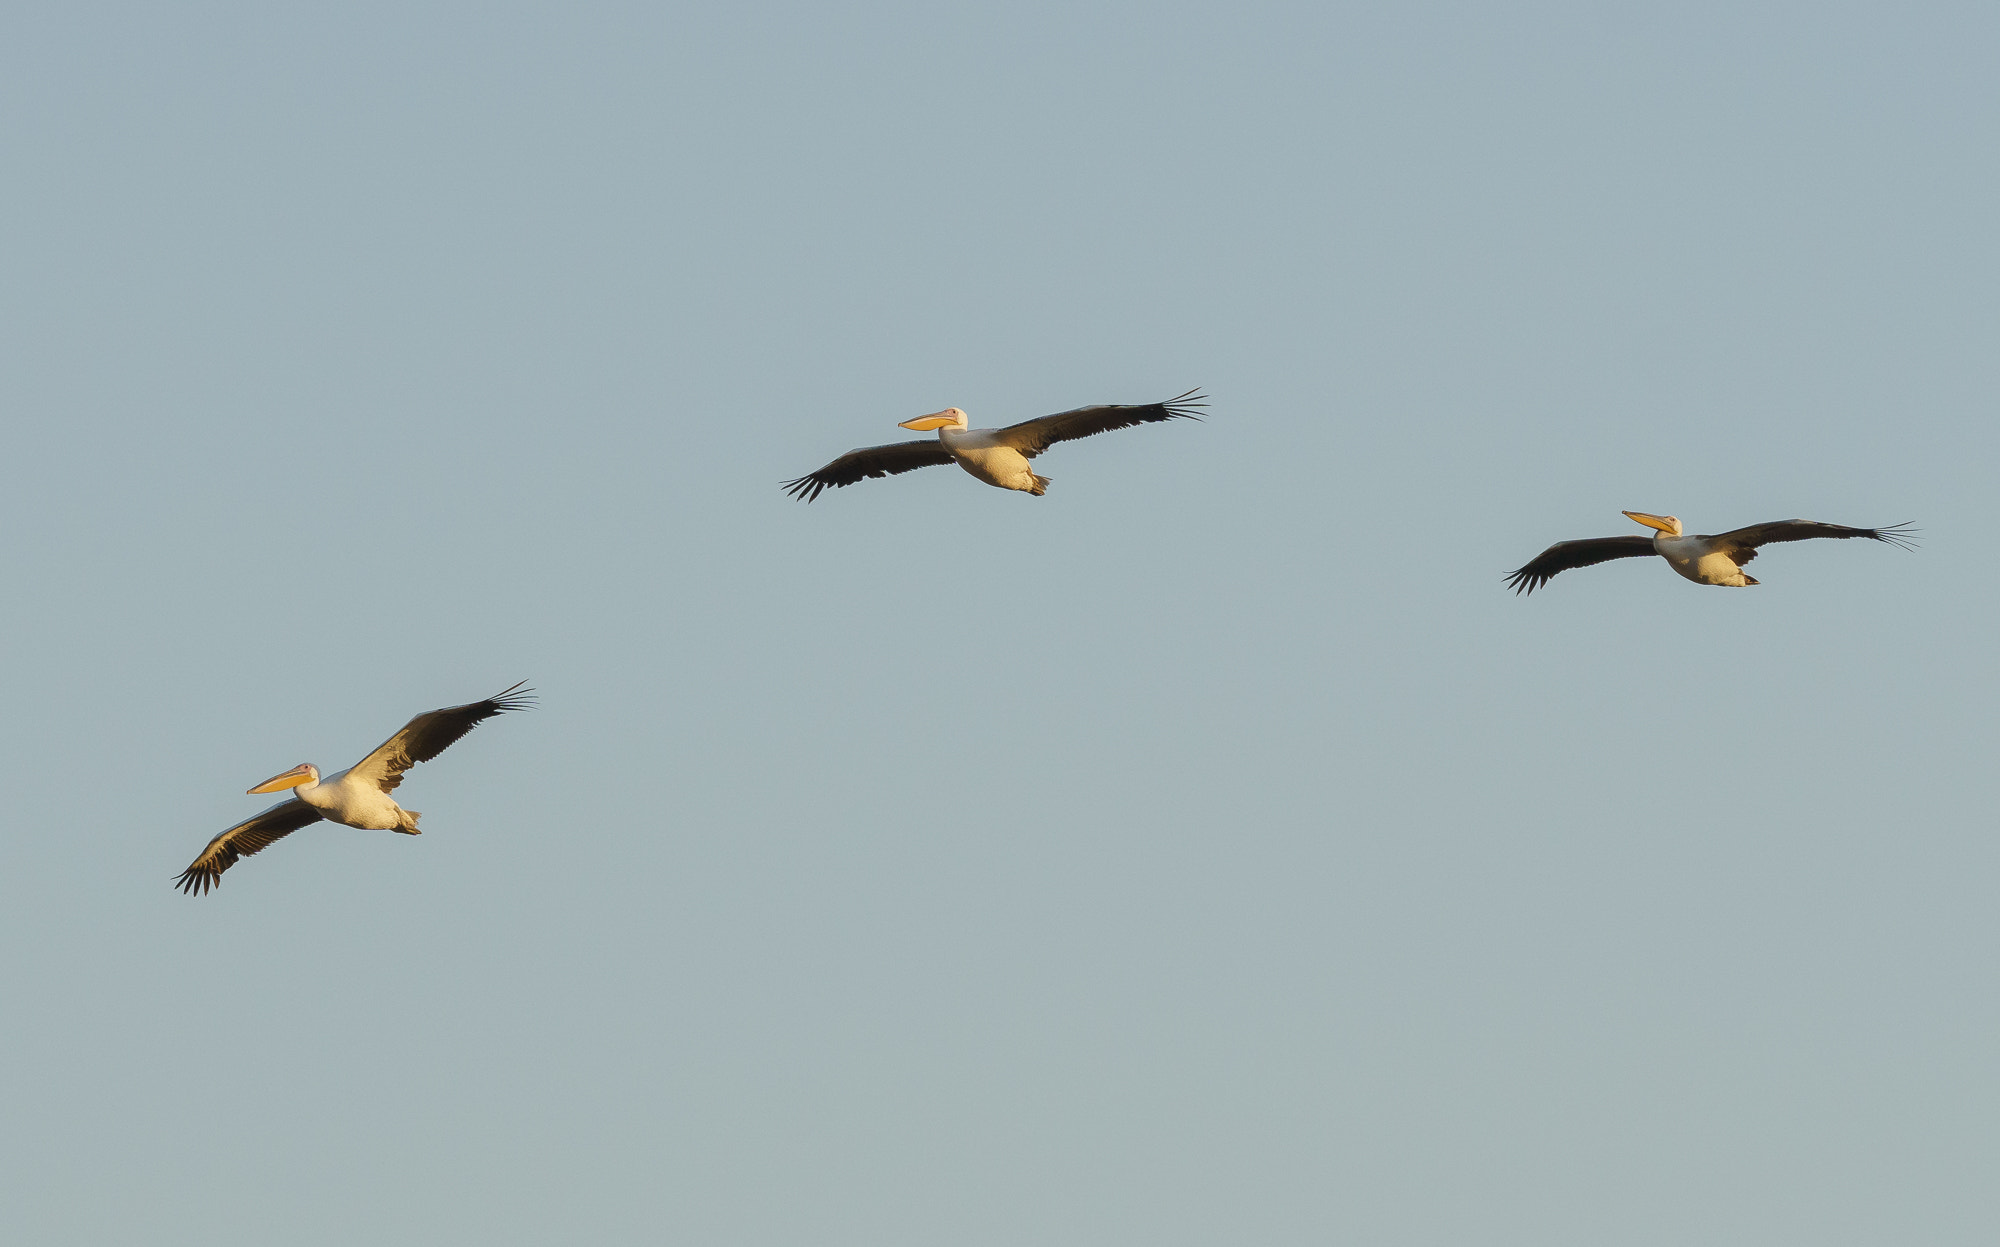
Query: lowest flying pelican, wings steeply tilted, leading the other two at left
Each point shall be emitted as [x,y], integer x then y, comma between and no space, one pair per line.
[357,796]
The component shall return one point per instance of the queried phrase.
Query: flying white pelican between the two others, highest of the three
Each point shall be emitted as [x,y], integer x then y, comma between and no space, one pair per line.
[995,457]
